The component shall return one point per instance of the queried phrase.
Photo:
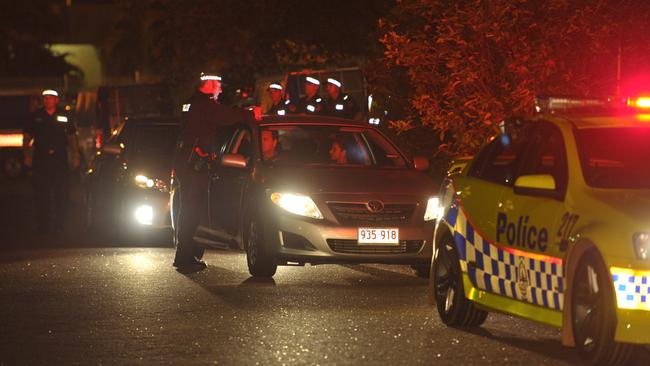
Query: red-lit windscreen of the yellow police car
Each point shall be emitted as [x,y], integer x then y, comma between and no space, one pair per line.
[615,157]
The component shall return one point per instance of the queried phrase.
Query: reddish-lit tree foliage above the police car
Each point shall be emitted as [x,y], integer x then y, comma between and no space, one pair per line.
[471,63]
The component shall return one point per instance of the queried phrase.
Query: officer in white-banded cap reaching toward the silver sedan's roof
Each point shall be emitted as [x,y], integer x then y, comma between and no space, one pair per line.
[202,132]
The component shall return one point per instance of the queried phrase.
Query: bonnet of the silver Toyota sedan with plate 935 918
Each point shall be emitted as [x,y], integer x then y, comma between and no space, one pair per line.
[349,180]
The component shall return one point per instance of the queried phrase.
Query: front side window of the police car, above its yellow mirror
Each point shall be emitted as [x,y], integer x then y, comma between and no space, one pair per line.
[546,154]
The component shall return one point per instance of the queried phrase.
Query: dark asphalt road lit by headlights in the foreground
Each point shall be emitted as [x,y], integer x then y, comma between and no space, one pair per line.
[73,298]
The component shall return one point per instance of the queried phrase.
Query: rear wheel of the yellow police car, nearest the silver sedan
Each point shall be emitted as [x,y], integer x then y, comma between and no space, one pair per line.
[453,307]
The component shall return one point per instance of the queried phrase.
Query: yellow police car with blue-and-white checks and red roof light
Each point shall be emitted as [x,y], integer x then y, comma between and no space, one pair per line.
[551,222]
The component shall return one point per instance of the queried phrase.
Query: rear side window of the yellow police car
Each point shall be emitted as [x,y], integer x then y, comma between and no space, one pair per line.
[498,161]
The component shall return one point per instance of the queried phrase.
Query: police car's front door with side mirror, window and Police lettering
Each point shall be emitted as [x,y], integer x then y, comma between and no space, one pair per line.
[531,216]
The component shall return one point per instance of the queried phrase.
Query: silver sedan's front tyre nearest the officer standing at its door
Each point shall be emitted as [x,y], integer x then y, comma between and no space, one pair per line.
[261,262]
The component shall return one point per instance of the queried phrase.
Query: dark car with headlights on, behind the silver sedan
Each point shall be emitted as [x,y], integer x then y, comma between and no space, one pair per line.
[127,184]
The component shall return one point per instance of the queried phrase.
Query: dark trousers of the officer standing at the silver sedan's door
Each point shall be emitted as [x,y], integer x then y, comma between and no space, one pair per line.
[193,203]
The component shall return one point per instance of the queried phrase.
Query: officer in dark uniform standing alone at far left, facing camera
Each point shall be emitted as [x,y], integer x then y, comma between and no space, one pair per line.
[52,135]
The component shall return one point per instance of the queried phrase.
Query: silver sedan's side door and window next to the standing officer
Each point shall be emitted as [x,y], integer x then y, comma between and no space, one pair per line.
[227,185]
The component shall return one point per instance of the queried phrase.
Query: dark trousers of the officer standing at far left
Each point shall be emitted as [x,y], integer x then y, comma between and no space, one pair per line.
[50,196]
